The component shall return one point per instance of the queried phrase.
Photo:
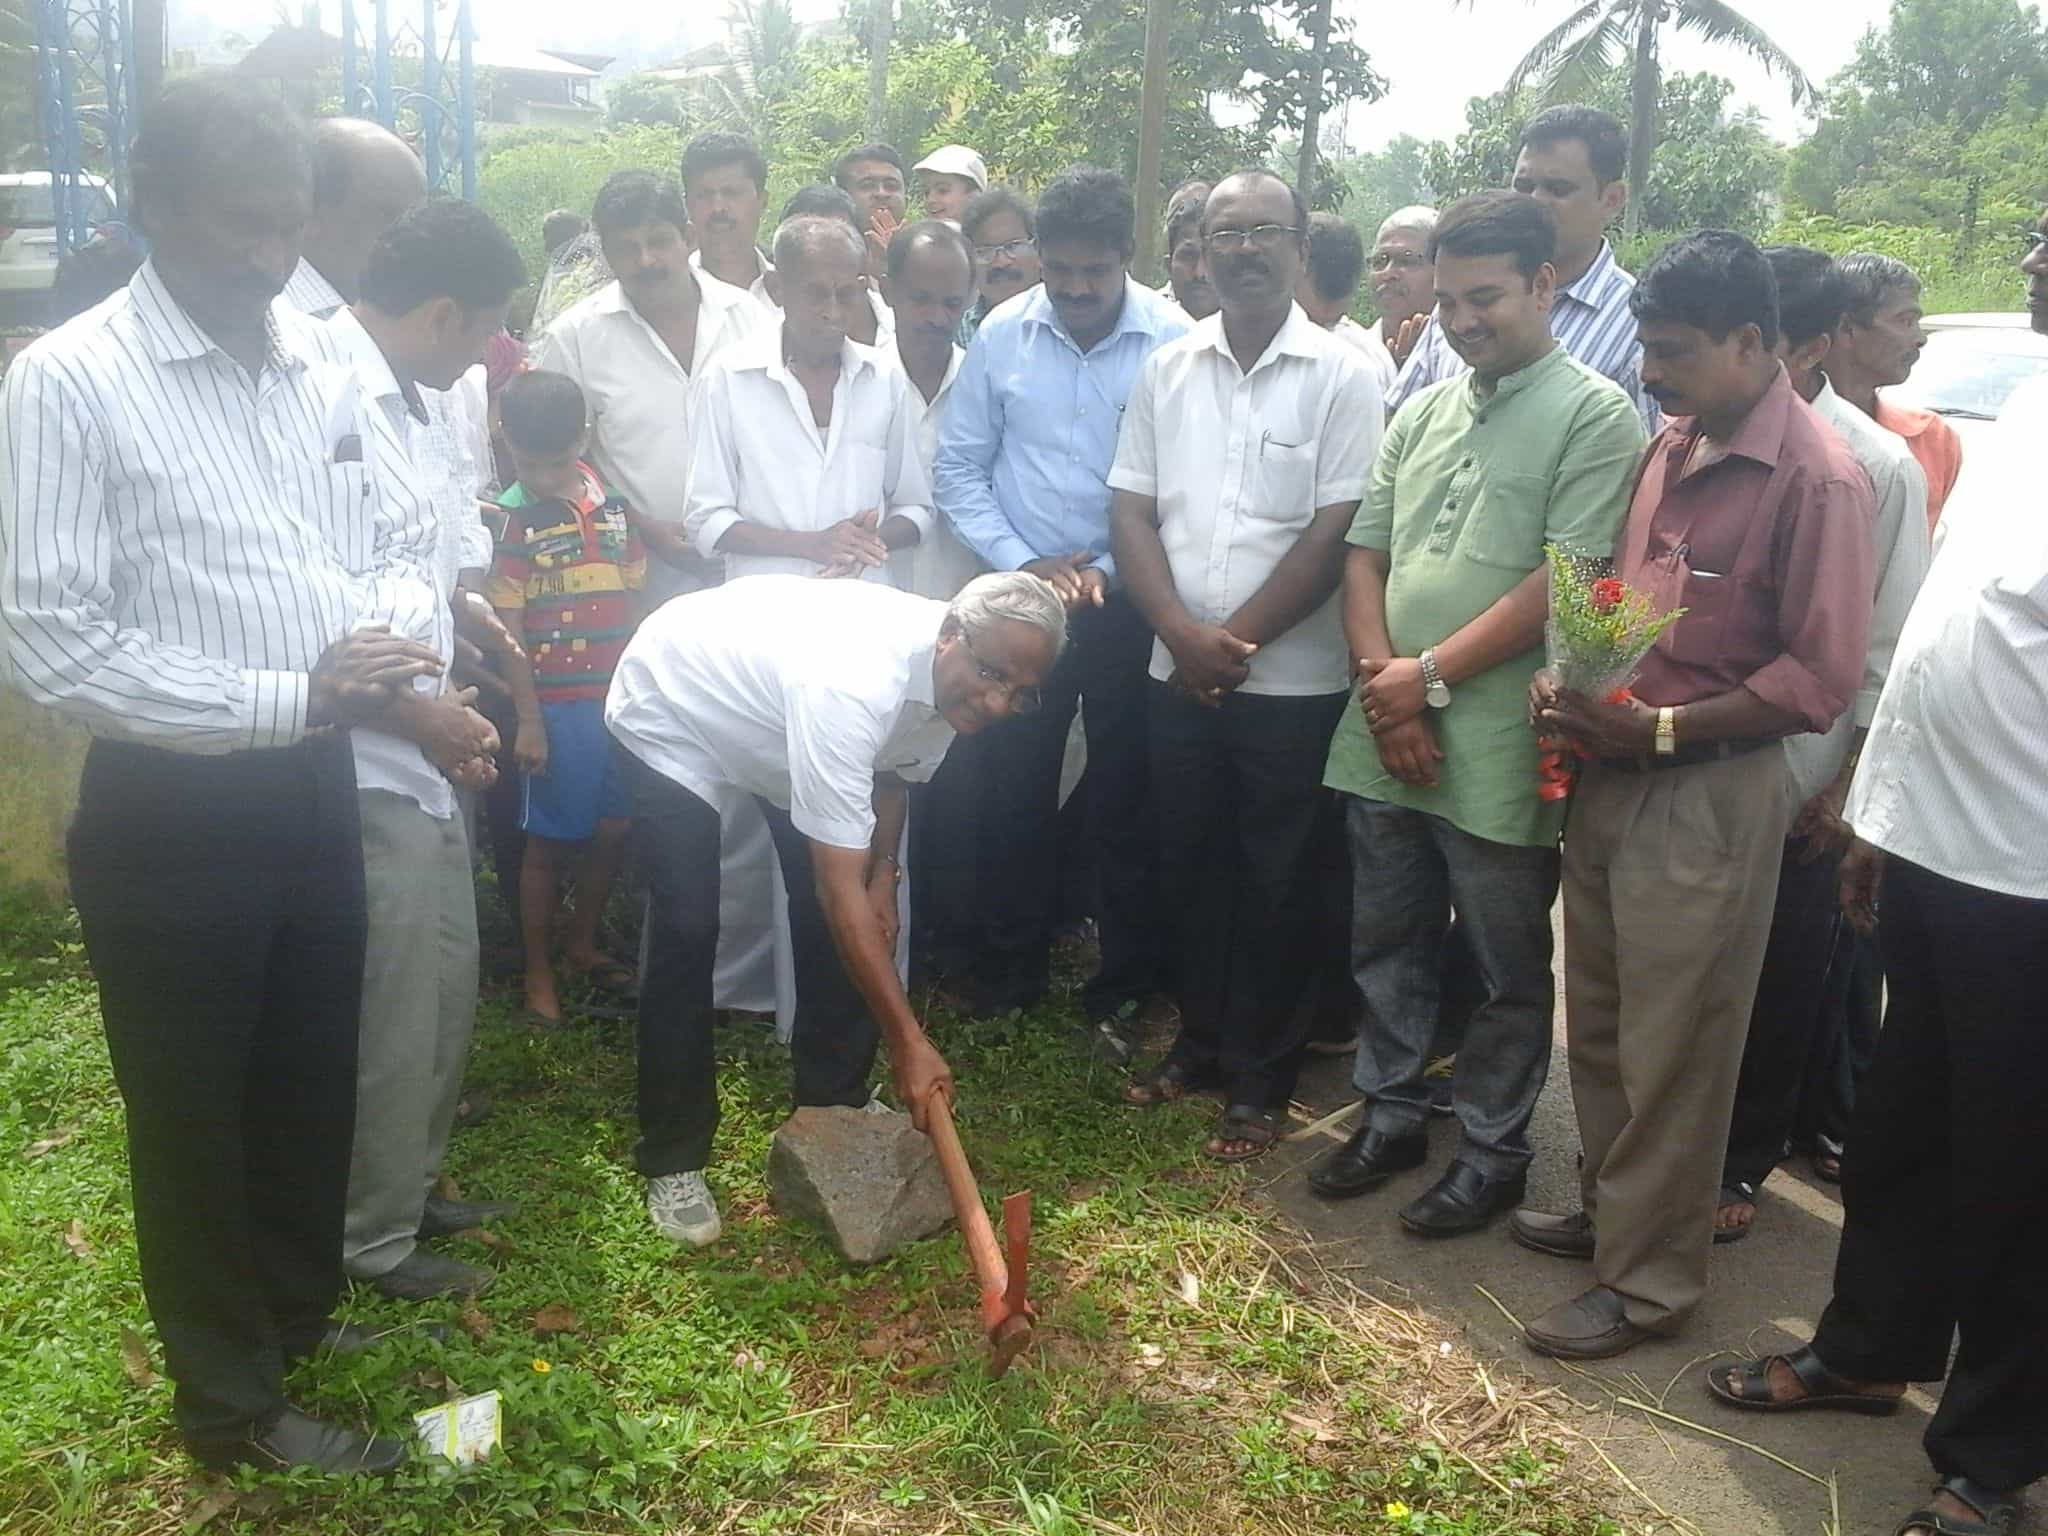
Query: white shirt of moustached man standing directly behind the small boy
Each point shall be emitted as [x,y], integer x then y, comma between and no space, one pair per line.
[640,392]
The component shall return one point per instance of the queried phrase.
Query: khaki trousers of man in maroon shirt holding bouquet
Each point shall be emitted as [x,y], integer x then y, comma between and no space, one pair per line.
[1670,878]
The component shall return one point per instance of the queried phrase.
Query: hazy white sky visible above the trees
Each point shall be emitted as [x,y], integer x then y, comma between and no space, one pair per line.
[1433,52]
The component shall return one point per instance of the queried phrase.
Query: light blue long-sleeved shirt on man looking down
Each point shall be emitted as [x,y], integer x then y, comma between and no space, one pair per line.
[1031,431]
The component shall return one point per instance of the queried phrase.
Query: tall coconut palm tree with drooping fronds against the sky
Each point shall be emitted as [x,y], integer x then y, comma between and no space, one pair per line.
[1601,34]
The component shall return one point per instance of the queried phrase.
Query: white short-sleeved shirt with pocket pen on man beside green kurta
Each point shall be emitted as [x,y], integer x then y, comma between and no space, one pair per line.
[1240,464]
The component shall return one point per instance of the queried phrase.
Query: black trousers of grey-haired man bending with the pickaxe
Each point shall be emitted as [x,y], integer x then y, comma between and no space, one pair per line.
[835,1039]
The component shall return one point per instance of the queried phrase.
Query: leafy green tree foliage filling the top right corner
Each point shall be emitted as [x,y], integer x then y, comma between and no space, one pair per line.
[1938,116]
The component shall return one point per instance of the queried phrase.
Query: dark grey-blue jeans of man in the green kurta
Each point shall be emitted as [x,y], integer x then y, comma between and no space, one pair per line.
[1410,871]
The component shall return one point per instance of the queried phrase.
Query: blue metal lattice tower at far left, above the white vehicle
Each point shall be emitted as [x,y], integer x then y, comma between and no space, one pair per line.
[87,105]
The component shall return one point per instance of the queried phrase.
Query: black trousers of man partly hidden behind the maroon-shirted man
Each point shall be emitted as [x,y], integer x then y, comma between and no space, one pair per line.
[1787,1017]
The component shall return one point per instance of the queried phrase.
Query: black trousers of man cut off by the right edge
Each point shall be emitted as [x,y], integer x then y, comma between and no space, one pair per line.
[1947,1179]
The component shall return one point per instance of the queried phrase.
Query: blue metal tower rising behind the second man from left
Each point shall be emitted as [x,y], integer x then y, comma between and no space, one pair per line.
[439,116]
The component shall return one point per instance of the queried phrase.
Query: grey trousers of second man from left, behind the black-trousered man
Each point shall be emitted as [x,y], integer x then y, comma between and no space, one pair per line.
[419,1009]
